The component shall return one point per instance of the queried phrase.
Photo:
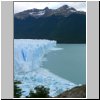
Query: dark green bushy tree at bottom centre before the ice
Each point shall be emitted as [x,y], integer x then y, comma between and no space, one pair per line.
[39,92]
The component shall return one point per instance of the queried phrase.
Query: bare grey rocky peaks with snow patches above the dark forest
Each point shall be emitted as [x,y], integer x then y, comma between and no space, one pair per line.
[64,11]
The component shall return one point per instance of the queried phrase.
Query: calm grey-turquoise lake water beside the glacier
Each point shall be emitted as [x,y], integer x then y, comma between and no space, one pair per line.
[68,63]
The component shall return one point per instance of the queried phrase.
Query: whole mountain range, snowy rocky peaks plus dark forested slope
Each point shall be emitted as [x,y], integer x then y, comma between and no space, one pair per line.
[64,24]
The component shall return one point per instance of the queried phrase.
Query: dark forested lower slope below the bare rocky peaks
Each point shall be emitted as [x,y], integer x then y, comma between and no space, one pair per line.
[71,29]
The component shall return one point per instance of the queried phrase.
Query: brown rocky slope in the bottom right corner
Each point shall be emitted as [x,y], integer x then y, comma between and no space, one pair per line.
[76,92]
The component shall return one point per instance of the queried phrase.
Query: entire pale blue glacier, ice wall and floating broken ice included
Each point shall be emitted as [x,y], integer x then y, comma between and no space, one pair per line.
[29,55]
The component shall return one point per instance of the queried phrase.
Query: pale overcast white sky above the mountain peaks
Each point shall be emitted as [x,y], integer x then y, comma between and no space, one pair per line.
[21,6]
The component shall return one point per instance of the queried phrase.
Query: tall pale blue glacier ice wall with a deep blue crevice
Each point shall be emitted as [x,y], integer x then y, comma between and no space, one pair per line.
[28,54]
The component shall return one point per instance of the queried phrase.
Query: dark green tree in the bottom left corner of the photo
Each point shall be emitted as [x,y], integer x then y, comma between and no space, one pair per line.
[17,90]
